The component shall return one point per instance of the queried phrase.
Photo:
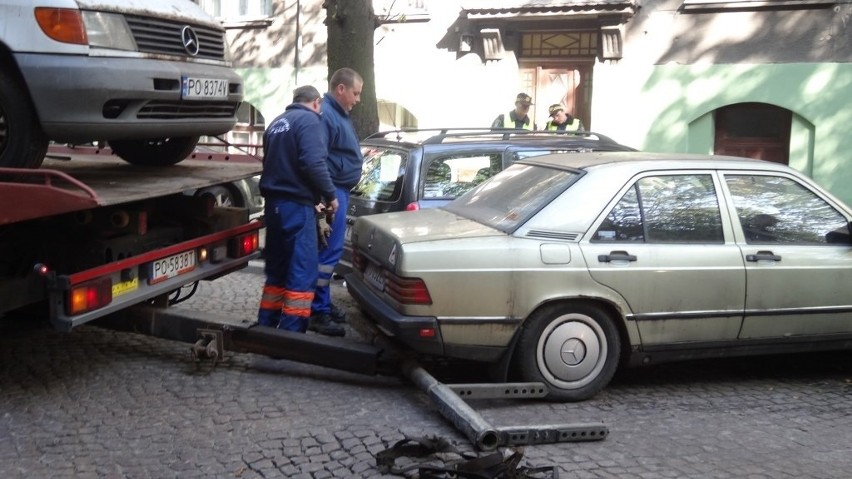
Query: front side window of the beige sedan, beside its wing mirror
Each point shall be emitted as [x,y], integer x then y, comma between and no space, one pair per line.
[774,209]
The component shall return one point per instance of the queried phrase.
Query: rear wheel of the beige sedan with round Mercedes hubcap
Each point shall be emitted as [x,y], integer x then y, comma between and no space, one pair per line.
[573,348]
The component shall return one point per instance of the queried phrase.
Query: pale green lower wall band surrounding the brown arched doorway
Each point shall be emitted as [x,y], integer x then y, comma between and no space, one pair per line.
[669,108]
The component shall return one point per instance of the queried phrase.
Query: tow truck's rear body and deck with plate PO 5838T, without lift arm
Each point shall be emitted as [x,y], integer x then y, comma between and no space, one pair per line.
[88,234]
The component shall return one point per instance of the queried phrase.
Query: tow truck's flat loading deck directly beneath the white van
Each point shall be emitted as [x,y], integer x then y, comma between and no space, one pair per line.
[69,183]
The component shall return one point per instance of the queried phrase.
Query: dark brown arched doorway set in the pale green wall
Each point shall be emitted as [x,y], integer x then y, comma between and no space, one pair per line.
[753,130]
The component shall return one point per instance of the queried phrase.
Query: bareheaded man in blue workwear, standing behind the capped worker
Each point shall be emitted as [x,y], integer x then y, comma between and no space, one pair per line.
[344,165]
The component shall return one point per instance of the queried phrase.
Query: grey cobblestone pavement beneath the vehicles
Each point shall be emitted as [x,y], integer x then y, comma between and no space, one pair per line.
[103,404]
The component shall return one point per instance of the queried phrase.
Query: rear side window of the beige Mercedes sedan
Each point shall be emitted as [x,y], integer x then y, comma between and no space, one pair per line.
[666,209]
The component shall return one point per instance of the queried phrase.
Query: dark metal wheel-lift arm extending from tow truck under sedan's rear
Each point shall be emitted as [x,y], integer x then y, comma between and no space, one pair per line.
[212,335]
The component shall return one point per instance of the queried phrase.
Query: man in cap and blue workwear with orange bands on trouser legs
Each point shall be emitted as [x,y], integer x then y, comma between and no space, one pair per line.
[294,180]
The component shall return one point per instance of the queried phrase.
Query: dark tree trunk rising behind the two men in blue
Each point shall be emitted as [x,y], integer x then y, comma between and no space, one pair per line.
[351,24]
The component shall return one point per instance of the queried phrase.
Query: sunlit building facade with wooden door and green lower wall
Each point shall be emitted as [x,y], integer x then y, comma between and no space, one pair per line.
[766,79]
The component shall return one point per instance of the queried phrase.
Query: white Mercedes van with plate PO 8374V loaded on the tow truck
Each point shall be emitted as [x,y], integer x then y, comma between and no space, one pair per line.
[149,77]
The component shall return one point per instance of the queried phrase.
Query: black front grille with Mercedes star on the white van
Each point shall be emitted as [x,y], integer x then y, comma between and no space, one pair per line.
[154,35]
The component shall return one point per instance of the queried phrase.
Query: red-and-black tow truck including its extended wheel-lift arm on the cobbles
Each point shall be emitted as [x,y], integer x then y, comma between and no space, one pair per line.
[91,238]
